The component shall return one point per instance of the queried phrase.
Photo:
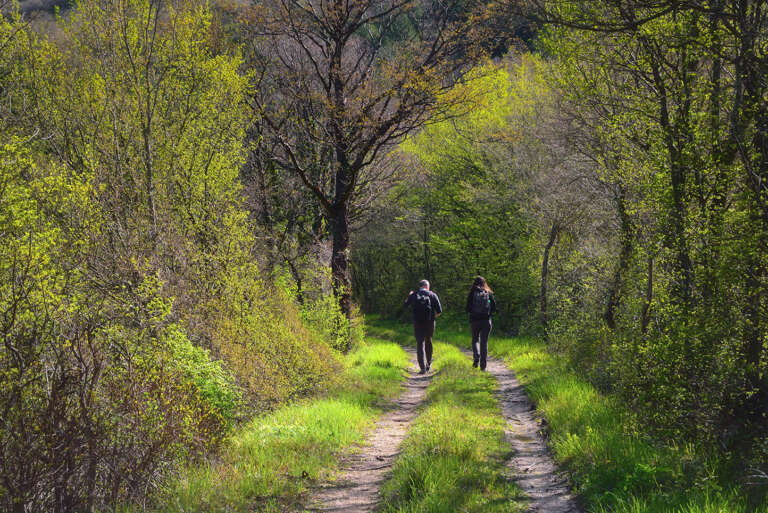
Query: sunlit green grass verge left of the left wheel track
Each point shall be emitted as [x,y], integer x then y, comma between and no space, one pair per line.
[269,464]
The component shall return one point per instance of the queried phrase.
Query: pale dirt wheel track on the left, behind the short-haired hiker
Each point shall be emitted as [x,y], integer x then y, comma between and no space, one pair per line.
[357,490]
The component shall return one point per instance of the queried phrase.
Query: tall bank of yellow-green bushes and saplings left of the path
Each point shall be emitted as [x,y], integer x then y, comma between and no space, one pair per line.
[134,316]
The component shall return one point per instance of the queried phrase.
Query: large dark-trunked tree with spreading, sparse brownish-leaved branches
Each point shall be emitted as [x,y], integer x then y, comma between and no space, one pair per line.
[339,83]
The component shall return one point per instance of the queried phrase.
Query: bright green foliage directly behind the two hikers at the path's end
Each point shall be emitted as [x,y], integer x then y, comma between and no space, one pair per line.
[456,215]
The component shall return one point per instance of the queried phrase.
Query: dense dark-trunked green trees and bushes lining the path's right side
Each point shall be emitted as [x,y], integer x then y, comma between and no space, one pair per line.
[684,271]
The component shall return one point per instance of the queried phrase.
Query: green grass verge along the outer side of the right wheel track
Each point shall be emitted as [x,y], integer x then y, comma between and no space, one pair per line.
[614,467]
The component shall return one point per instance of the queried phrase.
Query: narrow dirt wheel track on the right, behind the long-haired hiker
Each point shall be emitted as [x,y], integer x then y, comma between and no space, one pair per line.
[535,471]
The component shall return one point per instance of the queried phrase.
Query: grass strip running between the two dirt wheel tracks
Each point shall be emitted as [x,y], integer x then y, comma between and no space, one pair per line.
[453,458]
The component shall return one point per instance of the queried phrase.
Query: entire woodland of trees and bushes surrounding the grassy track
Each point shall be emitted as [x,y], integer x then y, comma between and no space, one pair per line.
[195,199]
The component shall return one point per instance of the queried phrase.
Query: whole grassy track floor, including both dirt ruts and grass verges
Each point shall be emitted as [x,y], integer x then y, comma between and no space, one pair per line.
[454,440]
